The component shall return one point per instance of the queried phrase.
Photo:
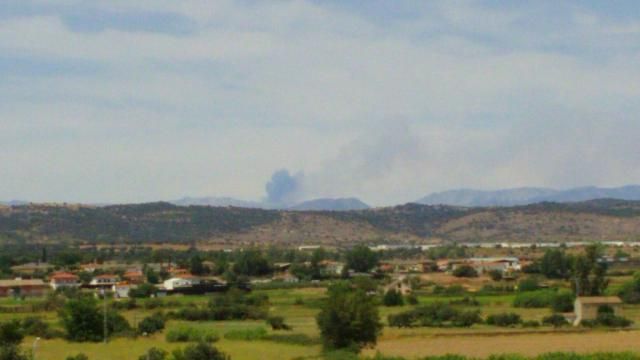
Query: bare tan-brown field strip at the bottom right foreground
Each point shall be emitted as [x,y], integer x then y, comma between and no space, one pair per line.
[525,344]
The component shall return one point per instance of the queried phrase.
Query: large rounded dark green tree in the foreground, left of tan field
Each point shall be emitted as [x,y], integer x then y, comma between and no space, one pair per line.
[348,318]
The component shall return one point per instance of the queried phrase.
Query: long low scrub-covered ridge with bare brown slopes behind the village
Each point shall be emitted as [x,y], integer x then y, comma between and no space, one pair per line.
[167,223]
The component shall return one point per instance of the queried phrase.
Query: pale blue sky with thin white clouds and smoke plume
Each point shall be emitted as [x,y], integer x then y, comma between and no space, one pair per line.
[134,101]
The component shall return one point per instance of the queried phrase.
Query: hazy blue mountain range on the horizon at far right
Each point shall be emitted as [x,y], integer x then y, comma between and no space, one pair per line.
[524,196]
